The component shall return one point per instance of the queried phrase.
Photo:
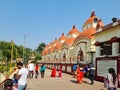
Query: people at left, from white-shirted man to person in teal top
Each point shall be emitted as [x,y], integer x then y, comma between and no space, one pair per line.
[19,81]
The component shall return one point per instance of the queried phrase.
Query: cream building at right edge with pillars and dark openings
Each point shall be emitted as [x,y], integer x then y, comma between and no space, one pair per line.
[108,39]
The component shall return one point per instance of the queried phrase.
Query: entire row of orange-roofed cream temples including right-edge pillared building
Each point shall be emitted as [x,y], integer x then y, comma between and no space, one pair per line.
[84,46]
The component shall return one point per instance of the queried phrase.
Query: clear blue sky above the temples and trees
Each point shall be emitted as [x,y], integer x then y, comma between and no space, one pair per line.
[45,20]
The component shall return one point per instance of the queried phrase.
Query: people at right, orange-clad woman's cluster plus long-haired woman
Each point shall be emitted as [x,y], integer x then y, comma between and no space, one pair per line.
[88,71]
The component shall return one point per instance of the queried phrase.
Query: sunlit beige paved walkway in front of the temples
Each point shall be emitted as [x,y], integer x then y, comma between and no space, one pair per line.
[66,82]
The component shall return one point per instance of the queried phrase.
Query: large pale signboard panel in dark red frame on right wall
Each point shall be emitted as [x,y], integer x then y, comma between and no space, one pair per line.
[104,65]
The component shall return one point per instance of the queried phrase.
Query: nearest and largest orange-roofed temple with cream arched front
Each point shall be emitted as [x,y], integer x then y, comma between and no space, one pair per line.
[84,48]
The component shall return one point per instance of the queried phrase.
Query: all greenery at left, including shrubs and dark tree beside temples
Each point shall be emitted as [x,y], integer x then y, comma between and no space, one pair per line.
[8,48]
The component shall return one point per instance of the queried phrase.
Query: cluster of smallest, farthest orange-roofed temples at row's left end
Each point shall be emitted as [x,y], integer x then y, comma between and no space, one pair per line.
[52,51]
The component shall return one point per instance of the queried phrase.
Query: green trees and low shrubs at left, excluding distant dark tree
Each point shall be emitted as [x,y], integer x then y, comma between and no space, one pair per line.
[6,49]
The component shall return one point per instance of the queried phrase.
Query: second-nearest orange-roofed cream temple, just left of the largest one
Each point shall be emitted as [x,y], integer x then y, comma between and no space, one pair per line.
[67,46]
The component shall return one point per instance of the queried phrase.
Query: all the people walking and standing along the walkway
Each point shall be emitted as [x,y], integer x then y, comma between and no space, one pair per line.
[19,81]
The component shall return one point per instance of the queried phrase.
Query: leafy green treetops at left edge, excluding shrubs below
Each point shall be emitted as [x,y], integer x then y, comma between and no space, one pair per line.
[6,48]
